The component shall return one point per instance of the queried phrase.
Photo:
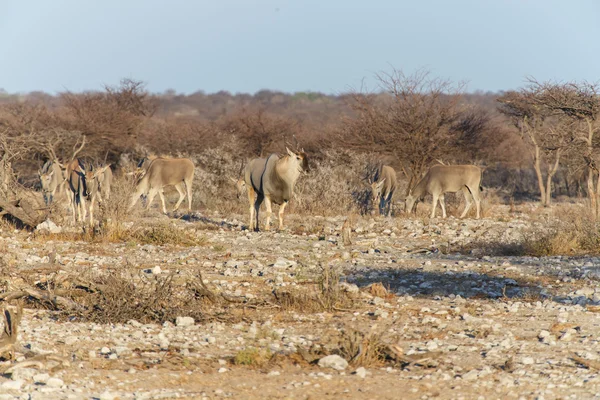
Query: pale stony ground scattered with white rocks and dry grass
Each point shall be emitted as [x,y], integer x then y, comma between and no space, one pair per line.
[420,308]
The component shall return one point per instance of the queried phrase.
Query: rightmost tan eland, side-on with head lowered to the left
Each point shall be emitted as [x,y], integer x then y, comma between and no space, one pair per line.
[442,179]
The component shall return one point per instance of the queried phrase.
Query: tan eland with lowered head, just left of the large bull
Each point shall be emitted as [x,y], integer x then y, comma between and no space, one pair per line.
[154,174]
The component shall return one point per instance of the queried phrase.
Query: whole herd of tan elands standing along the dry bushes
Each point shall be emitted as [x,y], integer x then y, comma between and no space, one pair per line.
[270,180]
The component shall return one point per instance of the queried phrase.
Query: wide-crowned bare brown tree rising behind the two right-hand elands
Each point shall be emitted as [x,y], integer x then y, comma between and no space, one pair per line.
[412,121]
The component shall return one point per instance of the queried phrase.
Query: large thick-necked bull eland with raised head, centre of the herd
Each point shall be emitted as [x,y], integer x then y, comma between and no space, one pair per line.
[272,180]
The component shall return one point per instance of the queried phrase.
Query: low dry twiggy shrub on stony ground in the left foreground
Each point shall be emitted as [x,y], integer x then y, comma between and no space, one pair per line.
[115,297]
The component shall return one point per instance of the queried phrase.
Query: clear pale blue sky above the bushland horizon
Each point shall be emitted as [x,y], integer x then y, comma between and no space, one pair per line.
[292,45]
